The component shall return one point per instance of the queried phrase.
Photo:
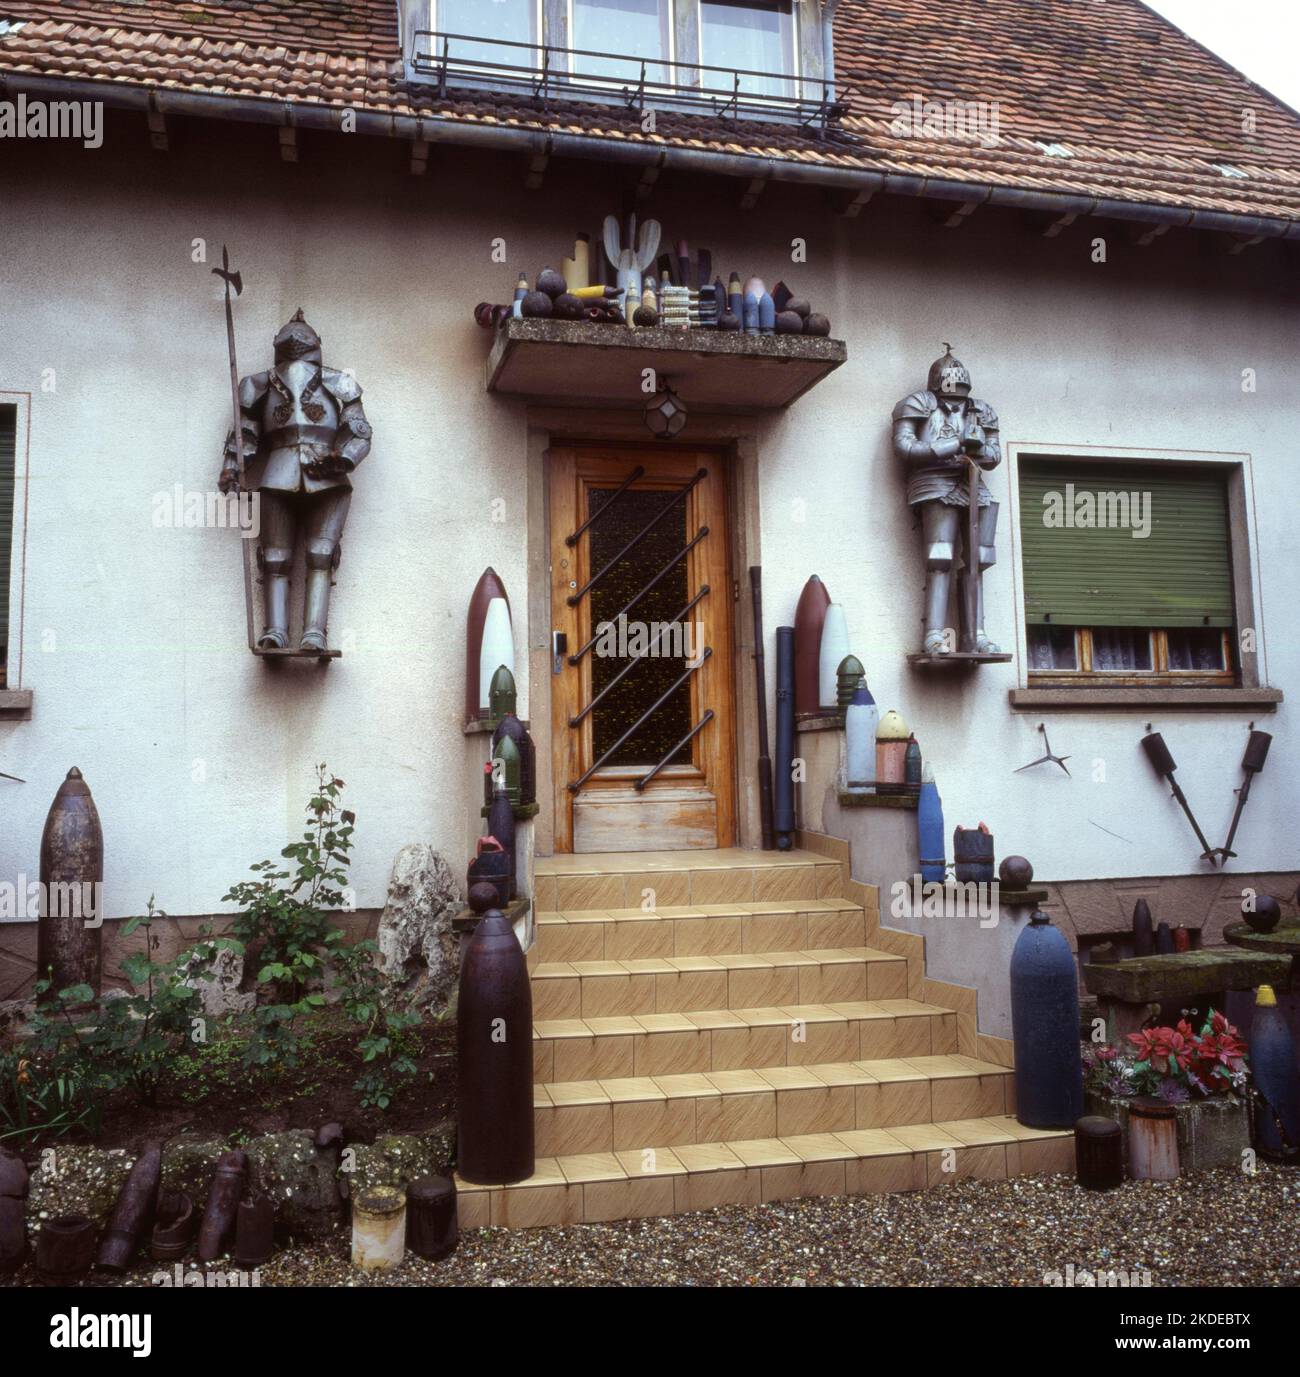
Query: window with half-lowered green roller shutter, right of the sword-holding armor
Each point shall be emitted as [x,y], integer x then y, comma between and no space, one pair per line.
[1127,571]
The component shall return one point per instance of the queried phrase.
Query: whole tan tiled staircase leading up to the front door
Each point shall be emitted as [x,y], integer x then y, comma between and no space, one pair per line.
[718,1028]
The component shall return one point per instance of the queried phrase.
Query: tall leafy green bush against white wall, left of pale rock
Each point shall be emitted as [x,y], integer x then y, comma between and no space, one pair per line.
[284,923]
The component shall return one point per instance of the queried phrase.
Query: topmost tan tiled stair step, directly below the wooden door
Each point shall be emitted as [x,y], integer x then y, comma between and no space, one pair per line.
[634,879]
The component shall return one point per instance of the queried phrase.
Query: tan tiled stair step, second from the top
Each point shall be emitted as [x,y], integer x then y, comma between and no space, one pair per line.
[700,930]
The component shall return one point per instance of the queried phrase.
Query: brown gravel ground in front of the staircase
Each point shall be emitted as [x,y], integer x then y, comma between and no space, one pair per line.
[1211,1229]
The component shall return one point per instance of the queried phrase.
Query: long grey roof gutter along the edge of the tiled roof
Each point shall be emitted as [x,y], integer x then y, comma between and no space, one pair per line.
[557,144]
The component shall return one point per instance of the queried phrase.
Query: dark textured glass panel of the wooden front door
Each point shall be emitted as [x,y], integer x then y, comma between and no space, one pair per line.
[620,641]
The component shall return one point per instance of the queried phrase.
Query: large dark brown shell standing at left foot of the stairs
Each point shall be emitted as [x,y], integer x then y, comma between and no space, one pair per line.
[495,1051]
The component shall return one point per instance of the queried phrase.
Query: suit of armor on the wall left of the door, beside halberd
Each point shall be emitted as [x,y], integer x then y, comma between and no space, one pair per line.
[308,429]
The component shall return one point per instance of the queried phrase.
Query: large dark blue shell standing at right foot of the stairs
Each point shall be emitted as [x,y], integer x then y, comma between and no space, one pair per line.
[1045,1024]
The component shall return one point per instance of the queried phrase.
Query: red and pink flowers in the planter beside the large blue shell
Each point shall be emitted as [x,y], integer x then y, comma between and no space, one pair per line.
[1173,1064]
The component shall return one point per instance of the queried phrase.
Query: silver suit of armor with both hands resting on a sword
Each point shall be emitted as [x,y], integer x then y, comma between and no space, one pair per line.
[936,432]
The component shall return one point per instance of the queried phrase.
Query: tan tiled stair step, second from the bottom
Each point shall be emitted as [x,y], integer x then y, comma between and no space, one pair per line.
[633,1113]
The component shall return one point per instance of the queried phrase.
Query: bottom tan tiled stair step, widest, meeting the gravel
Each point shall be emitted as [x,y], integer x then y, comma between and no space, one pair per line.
[594,1188]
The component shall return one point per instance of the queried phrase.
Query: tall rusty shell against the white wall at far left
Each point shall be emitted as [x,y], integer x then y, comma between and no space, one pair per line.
[71,874]
